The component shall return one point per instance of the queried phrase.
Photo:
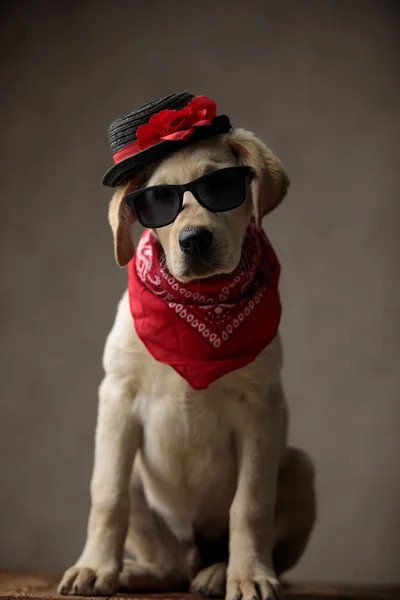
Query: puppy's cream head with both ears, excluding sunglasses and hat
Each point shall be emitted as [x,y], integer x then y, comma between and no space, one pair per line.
[217,237]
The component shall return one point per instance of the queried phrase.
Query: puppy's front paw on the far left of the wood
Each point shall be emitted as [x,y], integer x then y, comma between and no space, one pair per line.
[83,581]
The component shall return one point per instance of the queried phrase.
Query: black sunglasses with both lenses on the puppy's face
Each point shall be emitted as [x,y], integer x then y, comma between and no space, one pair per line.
[219,191]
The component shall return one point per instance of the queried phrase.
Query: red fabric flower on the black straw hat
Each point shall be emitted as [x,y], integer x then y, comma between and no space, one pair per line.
[177,124]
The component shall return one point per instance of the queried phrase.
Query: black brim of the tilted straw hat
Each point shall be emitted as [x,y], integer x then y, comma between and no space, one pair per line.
[122,172]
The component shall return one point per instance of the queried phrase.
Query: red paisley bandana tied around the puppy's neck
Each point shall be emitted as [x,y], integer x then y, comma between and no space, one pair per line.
[208,328]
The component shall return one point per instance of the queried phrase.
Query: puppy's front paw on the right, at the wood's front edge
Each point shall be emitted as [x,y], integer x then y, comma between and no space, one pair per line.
[261,585]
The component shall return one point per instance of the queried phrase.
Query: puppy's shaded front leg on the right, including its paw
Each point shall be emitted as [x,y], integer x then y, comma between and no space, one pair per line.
[250,573]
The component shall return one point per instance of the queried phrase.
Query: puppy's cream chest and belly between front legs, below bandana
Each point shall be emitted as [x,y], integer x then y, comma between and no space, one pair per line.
[188,458]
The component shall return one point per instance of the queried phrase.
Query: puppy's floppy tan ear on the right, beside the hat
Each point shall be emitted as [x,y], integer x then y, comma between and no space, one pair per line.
[271,182]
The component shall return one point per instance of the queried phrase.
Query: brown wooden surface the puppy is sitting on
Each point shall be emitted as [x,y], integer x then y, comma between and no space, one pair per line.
[44,585]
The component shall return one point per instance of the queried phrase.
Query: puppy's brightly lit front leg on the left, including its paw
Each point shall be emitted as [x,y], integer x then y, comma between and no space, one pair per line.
[118,437]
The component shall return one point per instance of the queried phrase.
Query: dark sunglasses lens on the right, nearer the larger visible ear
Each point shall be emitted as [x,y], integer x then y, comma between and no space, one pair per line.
[223,190]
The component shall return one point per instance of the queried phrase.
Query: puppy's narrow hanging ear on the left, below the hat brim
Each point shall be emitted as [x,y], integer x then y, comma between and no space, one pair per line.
[121,219]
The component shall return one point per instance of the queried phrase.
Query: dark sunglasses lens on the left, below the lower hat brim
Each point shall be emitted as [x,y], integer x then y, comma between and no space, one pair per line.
[157,207]
